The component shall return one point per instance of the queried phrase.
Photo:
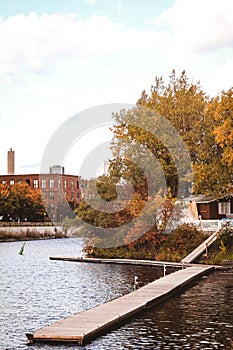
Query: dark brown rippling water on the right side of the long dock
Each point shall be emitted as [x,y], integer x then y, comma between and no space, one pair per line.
[200,318]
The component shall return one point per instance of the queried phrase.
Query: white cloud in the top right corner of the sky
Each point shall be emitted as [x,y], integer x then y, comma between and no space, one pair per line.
[203,25]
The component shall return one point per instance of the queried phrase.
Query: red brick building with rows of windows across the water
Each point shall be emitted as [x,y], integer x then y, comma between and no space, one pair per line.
[57,189]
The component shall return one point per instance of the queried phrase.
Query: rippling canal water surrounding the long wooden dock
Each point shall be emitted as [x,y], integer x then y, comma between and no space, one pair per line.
[36,291]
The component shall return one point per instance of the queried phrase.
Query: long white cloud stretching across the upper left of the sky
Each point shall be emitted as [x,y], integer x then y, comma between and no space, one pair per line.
[37,43]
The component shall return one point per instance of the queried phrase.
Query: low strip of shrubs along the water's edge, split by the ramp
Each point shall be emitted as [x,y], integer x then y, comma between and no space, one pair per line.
[172,247]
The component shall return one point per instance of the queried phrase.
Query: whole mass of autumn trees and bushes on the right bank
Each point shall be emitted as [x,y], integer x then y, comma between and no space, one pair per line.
[152,169]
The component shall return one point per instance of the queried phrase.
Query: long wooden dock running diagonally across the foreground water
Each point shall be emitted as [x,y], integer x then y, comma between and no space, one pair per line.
[87,325]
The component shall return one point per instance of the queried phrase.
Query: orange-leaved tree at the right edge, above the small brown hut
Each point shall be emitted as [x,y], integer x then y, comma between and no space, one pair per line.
[213,173]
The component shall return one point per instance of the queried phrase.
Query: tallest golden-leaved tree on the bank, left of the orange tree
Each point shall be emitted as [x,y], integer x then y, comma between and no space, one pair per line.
[169,114]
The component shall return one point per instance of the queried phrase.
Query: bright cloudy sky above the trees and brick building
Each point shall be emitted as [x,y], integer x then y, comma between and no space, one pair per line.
[61,57]
